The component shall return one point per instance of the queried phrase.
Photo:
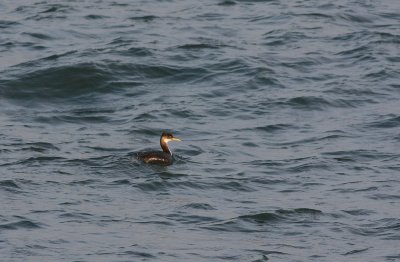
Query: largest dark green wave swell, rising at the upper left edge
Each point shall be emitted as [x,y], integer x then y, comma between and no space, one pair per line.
[86,81]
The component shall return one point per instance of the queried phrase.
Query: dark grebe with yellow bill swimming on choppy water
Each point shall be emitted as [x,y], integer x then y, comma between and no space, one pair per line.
[164,157]
